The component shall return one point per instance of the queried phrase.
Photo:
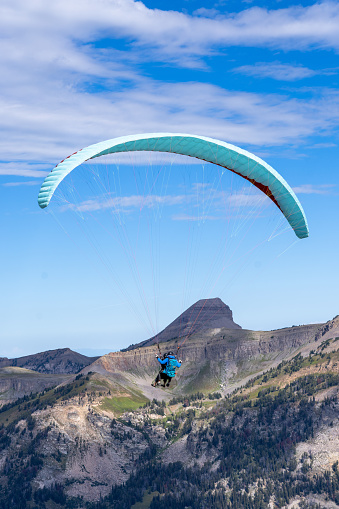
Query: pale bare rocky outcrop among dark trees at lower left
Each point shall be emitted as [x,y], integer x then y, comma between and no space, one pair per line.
[95,452]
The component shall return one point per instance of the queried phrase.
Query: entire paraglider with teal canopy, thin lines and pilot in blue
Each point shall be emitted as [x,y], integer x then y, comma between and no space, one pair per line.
[257,174]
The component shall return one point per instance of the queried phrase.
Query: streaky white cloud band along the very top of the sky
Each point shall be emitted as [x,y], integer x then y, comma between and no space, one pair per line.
[68,24]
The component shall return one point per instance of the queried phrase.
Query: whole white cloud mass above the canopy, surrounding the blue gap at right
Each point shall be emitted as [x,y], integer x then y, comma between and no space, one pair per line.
[49,59]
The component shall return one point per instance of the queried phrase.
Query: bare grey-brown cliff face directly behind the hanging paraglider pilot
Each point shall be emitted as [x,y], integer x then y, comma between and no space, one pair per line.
[214,357]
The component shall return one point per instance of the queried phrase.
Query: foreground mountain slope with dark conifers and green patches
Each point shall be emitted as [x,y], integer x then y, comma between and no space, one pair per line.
[94,442]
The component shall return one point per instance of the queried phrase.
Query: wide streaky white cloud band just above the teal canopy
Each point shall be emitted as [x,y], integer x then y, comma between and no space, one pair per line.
[61,122]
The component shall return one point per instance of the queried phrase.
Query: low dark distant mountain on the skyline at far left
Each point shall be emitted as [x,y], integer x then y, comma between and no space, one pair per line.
[62,360]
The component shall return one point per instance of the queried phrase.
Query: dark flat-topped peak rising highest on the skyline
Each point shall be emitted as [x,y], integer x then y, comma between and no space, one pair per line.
[203,315]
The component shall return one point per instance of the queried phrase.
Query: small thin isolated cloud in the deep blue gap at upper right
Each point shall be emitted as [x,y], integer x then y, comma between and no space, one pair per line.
[276,71]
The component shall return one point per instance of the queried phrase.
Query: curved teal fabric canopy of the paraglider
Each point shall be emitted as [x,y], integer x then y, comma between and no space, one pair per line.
[241,162]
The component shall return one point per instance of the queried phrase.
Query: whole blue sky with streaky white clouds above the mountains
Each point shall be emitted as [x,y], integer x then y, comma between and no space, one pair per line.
[261,75]
